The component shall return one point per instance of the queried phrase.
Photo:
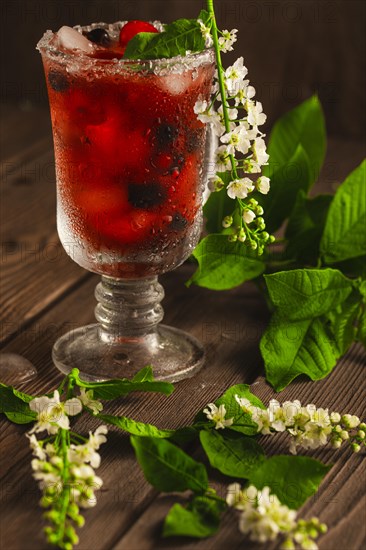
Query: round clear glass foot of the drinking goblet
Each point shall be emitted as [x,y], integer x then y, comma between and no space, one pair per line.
[173,354]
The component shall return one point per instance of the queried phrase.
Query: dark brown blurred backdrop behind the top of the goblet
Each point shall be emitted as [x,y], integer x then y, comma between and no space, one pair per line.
[292,48]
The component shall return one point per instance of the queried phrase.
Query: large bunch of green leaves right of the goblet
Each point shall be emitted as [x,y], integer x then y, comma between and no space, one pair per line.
[318,311]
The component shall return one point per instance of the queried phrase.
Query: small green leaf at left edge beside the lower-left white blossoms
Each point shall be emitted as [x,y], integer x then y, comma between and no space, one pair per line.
[14,404]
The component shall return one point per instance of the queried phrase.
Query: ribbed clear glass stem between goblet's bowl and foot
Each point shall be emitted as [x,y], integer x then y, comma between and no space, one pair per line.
[128,308]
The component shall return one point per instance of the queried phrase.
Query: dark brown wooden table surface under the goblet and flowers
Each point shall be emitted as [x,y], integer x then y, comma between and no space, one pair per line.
[44,294]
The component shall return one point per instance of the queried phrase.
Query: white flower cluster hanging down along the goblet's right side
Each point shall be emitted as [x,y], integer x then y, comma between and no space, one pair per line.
[242,149]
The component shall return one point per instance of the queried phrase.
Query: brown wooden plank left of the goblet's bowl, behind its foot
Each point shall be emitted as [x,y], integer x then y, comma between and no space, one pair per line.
[36,271]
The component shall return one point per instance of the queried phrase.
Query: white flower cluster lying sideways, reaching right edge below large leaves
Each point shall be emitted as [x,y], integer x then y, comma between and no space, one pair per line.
[308,426]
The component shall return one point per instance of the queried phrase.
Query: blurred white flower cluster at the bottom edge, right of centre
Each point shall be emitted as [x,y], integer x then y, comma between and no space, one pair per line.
[264,518]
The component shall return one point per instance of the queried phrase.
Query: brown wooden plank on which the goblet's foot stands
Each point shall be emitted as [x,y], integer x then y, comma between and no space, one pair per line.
[125,494]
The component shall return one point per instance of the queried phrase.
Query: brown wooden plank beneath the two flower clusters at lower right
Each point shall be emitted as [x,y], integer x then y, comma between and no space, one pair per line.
[340,500]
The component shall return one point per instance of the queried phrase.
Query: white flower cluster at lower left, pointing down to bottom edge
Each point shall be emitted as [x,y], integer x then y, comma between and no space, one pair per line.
[64,464]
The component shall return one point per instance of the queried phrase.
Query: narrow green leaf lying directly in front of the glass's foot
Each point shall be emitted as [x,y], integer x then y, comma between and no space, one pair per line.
[111,389]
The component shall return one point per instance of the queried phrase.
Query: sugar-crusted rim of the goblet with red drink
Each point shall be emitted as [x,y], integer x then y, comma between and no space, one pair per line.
[189,61]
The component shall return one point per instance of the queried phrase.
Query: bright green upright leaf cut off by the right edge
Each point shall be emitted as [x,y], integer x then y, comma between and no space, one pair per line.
[345,229]
